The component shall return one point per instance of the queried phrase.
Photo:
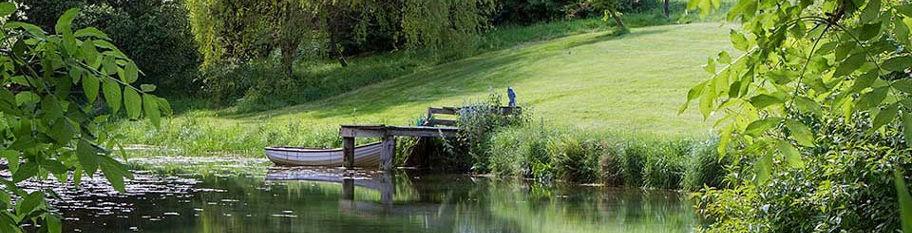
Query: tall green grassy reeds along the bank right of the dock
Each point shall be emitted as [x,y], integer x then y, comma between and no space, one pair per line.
[610,159]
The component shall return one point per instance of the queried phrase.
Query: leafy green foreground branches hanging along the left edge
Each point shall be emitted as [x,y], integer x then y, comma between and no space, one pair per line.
[50,120]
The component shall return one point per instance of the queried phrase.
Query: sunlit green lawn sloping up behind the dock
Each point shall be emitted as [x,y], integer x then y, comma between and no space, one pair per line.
[594,81]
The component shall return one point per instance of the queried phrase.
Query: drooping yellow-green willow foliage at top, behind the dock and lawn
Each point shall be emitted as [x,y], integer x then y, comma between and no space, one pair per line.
[234,30]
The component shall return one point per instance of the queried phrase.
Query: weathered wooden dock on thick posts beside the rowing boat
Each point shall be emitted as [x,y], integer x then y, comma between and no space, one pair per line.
[388,136]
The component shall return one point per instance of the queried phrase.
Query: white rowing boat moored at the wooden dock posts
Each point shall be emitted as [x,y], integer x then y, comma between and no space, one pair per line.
[365,156]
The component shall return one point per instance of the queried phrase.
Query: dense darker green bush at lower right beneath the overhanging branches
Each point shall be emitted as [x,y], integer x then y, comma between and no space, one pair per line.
[846,184]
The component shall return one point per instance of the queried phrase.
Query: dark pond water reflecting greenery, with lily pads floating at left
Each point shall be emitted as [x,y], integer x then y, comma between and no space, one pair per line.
[247,195]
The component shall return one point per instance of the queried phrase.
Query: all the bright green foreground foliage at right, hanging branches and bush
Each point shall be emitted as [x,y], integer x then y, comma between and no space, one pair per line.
[818,108]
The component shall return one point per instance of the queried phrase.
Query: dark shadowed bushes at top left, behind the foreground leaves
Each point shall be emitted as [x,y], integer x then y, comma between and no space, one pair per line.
[154,33]
